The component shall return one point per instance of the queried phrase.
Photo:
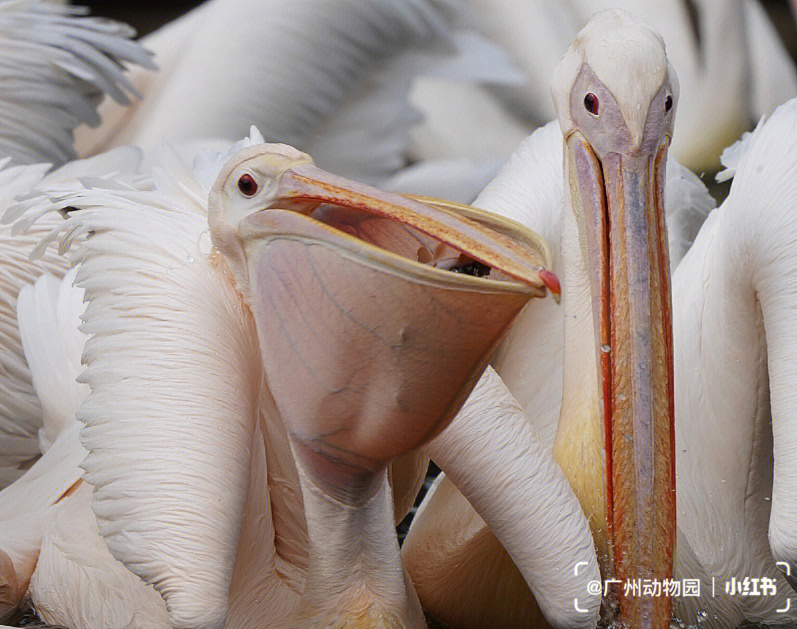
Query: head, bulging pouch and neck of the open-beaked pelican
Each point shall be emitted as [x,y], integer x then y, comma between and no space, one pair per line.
[369,343]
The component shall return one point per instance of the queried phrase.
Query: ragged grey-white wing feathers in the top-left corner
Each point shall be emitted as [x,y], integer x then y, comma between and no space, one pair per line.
[54,69]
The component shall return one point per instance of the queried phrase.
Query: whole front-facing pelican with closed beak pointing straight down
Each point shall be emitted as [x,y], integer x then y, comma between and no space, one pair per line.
[617,371]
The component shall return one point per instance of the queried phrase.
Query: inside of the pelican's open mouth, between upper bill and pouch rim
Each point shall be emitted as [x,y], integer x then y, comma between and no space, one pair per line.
[402,240]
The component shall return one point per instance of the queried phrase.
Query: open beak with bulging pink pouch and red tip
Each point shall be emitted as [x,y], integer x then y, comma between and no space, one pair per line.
[370,342]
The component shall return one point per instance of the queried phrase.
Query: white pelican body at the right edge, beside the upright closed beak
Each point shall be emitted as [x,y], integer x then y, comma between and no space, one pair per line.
[734,319]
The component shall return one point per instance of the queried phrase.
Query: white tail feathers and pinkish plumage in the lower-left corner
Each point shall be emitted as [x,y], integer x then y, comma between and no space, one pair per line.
[49,530]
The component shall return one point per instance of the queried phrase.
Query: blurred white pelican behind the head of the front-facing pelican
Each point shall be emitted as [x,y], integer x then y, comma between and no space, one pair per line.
[731,64]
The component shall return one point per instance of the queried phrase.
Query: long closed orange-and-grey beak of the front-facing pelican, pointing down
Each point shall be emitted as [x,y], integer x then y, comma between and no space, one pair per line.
[626,240]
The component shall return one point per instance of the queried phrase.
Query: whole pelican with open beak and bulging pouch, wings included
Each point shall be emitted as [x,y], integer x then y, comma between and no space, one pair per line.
[222,516]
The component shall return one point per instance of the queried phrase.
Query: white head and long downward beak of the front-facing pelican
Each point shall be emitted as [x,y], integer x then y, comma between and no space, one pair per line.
[615,96]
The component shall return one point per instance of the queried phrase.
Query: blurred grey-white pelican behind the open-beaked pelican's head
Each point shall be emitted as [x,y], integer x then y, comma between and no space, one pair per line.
[330,80]
